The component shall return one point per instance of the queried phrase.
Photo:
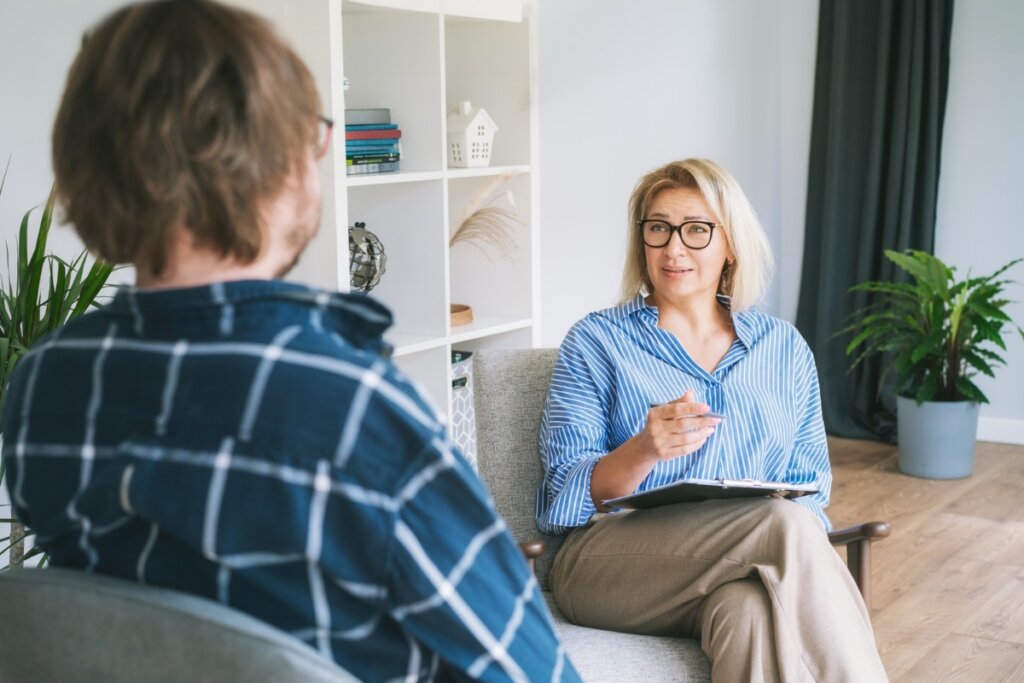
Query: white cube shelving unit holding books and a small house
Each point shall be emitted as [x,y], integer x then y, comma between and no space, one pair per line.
[420,59]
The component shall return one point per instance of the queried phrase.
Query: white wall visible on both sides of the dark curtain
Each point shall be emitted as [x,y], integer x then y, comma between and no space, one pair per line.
[624,89]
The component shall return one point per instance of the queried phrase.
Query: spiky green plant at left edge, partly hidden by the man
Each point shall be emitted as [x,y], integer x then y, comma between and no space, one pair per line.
[38,296]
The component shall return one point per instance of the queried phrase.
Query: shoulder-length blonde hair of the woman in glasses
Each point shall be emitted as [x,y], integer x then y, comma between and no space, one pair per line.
[746,280]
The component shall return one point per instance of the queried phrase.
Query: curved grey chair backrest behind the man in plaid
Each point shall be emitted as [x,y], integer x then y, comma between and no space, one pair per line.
[62,625]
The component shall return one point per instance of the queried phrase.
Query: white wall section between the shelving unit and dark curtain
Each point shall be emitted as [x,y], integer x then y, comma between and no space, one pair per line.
[625,88]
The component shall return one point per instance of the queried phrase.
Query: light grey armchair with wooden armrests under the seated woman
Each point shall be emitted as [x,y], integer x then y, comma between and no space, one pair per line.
[510,391]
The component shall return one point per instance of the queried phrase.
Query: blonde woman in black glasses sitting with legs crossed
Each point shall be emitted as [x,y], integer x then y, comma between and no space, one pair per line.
[629,410]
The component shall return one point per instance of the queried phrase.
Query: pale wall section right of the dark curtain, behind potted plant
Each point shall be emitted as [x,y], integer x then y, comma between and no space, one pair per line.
[980,224]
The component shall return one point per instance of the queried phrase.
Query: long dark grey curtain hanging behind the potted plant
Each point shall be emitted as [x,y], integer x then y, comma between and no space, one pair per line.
[880,96]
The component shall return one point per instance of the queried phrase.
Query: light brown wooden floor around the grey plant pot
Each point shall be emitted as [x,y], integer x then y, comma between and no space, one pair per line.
[949,583]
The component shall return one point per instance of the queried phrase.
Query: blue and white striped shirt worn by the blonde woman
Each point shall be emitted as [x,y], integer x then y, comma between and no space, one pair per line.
[616,363]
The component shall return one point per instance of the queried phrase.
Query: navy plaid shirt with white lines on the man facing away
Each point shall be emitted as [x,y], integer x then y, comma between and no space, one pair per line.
[251,443]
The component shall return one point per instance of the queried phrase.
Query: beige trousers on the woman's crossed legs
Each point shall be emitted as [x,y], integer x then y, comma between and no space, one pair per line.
[756,581]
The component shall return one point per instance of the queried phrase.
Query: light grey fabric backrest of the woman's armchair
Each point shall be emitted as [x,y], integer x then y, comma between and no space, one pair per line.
[510,389]
